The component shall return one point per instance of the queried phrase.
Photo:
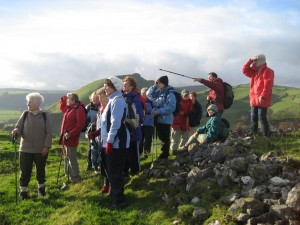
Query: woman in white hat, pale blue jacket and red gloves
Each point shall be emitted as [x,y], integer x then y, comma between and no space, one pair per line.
[115,139]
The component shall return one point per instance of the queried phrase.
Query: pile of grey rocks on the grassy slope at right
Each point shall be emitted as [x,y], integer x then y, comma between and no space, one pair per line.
[269,185]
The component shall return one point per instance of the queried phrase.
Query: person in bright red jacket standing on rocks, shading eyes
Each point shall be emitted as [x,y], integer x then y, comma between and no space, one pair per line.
[262,81]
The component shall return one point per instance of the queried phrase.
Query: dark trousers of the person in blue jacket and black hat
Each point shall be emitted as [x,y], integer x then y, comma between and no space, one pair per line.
[164,132]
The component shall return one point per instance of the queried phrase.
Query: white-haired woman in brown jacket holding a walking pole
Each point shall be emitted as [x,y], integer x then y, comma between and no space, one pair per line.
[35,130]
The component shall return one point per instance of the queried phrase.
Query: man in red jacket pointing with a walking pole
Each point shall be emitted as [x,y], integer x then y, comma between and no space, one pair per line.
[216,93]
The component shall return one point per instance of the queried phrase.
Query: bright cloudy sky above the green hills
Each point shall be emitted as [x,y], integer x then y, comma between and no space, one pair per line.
[66,44]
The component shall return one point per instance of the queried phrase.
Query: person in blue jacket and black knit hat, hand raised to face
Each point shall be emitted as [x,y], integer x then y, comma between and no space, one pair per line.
[164,102]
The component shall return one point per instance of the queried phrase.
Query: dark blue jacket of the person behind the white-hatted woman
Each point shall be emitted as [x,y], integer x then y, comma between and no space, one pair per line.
[133,97]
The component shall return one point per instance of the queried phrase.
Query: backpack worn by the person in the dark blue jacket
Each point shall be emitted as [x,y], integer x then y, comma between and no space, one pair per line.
[132,119]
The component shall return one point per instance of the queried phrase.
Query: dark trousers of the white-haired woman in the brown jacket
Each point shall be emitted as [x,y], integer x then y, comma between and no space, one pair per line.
[26,164]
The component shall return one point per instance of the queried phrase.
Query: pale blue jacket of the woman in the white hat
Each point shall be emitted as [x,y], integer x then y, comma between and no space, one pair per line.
[114,115]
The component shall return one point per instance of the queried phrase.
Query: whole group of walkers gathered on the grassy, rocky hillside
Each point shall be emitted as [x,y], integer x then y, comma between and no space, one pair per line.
[114,150]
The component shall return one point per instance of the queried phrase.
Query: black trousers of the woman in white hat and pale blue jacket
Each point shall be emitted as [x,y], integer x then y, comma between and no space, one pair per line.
[115,166]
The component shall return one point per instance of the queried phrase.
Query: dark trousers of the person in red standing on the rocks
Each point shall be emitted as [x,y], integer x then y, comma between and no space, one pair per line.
[259,113]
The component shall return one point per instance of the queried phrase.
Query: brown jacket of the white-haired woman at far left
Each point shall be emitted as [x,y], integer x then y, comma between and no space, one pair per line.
[35,132]
